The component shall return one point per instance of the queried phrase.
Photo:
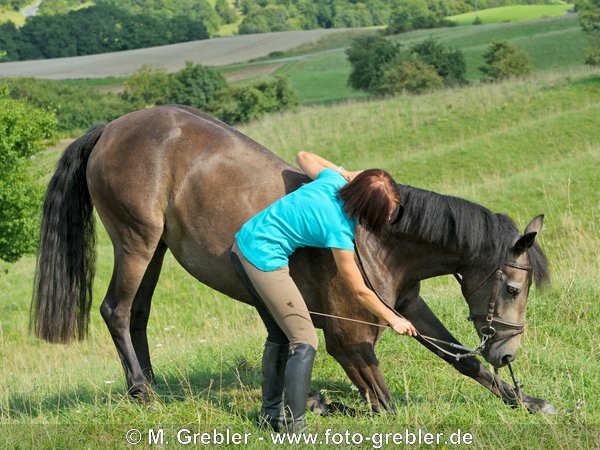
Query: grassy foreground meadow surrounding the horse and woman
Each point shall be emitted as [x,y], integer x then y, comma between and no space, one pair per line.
[521,148]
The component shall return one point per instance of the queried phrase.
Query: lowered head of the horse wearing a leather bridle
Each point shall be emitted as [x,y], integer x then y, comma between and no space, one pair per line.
[497,294]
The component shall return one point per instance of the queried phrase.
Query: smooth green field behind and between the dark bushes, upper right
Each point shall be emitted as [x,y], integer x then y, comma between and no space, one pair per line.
[551,44]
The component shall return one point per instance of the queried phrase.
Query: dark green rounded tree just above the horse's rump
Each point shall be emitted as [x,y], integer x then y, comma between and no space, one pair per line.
[195,85]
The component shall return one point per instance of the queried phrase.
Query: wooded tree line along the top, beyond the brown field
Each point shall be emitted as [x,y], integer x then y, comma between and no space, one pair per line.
[59,30]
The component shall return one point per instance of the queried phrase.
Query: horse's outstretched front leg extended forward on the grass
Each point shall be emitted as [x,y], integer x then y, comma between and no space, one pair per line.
[428,324]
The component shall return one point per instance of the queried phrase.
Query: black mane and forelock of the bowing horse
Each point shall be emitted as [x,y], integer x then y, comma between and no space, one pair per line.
[472,230]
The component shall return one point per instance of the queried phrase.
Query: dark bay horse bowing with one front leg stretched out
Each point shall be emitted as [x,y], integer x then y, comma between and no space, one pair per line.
[174,178]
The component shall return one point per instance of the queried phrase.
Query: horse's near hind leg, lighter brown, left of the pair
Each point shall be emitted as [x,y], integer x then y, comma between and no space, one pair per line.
[131,263]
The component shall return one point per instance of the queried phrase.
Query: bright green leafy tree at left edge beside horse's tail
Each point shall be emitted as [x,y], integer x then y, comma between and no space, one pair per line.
[24,131]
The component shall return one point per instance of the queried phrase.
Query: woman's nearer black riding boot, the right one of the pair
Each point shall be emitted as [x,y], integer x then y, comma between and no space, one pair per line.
[298,372]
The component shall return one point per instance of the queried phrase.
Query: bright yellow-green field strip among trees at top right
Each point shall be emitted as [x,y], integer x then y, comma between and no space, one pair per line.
[512,13]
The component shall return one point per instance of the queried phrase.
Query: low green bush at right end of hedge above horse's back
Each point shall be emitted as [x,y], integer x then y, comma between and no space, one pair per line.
[245,103]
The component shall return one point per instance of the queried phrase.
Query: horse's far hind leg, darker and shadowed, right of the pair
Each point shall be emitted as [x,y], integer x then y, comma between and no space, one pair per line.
[140,312]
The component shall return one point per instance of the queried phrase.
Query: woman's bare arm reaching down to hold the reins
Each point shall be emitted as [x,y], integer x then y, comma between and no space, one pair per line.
[344,260]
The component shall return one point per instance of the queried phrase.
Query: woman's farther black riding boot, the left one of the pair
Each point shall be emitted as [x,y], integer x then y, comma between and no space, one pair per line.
[273,366]
